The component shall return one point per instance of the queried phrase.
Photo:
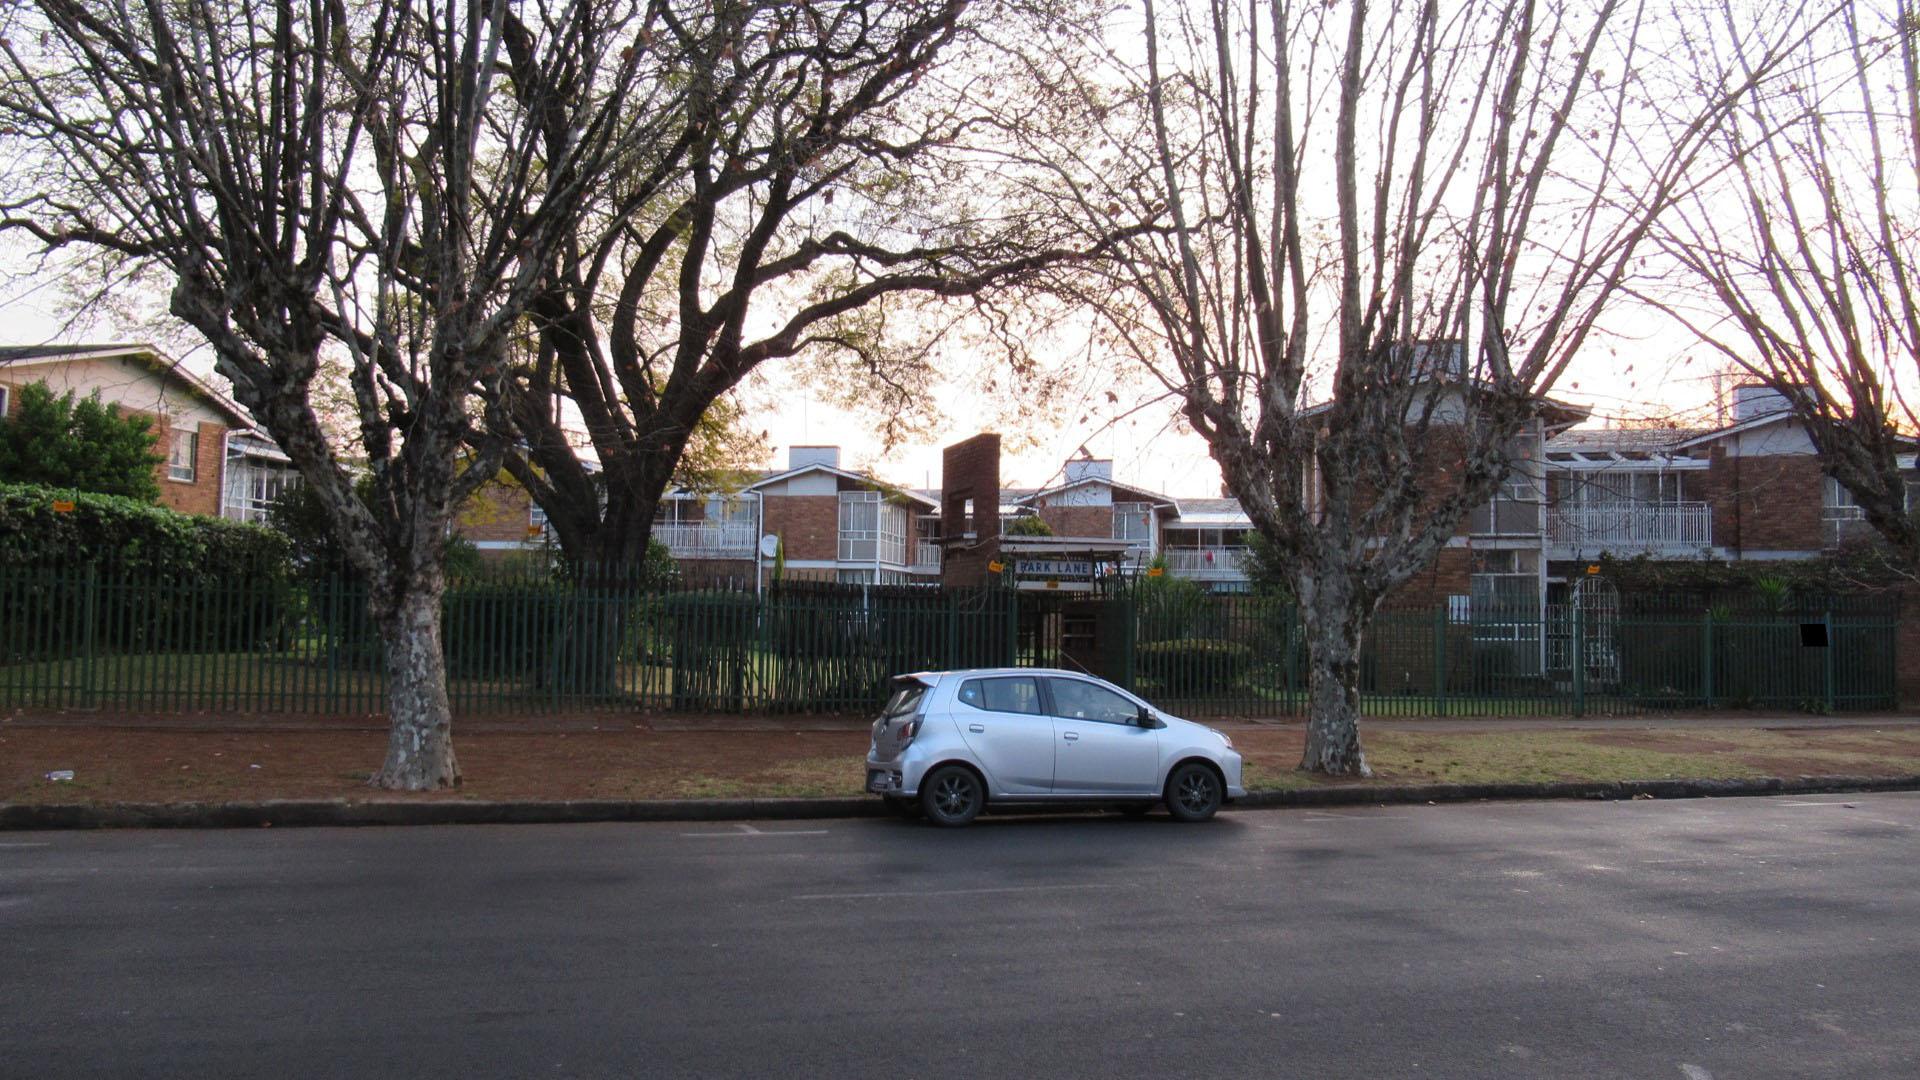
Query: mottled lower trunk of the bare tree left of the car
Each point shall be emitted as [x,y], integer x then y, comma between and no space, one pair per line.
[420,749]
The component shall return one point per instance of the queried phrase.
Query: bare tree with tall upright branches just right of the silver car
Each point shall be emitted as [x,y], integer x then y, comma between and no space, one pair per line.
[1391,230]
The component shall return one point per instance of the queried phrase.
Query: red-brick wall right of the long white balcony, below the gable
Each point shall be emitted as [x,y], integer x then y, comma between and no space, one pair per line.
[1765,504]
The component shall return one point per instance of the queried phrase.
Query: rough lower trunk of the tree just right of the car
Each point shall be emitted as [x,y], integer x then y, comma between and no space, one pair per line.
[1335,622]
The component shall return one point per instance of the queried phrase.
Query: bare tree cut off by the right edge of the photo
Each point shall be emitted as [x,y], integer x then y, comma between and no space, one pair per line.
[1810,253]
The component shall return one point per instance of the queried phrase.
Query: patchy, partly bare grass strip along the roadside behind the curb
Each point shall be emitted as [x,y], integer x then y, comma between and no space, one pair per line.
[176,766]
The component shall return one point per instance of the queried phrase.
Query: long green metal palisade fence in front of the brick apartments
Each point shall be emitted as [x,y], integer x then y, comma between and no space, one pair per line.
[97,639]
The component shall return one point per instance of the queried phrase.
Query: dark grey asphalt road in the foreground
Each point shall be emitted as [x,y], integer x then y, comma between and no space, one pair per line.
[1729,939]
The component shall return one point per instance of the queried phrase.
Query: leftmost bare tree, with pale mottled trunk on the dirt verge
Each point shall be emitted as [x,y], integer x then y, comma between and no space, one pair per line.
[370,184]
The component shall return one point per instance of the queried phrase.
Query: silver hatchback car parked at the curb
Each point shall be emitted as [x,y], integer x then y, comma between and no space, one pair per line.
[953,741]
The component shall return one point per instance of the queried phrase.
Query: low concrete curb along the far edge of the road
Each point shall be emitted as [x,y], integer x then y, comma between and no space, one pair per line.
[287,814]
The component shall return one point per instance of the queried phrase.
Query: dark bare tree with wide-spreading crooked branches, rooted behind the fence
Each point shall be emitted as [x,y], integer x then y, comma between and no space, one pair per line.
[836,184]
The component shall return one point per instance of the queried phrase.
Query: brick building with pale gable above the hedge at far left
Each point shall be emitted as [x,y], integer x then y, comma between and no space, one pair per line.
[216,460]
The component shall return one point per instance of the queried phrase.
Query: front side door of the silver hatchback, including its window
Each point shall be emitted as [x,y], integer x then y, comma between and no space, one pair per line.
[1099,747]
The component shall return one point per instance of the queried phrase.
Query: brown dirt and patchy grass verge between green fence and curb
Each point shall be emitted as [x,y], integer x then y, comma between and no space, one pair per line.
[220,760]
